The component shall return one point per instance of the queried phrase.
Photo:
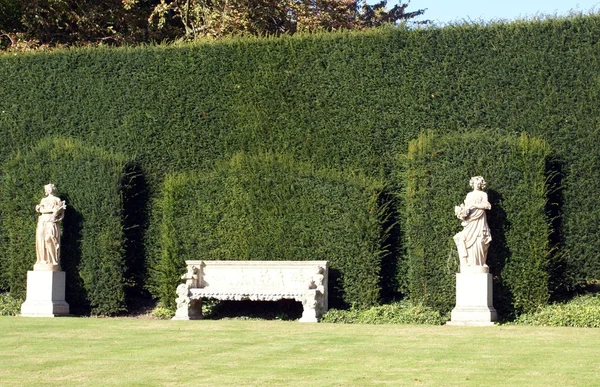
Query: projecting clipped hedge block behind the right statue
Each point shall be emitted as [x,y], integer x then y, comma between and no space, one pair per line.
[436,173]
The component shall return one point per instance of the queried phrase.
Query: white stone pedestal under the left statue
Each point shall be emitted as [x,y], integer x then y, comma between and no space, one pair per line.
[45,294]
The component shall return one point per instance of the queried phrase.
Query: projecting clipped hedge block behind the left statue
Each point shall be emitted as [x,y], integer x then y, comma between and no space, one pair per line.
[91,181]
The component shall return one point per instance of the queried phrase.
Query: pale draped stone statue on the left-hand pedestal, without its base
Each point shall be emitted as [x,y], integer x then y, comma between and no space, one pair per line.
[47,234]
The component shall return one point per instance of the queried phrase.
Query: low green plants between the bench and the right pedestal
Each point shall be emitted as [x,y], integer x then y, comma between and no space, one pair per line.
[403,312]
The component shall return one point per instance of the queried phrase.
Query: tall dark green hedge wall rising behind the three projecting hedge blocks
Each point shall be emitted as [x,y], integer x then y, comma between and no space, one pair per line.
[348,101]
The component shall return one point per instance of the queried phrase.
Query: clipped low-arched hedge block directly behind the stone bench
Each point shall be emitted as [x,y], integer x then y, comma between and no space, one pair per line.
[269,207]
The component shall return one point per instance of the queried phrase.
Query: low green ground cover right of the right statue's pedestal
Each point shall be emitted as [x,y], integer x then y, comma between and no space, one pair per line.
[582,312]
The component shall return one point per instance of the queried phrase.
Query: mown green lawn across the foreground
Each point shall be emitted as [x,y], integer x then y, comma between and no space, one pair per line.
[90,351]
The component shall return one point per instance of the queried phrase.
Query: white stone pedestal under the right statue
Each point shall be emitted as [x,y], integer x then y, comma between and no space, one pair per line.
[473,298]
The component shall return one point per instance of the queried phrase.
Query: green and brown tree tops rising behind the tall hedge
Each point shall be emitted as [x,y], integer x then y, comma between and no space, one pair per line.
[48,23]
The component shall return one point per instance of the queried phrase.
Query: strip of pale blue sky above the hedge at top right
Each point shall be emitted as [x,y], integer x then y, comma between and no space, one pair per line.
[444,11]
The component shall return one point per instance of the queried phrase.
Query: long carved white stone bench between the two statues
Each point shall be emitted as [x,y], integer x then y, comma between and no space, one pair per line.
[303,281]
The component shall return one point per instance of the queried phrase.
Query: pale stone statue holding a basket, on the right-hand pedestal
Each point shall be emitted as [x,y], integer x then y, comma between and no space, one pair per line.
[473,241]
